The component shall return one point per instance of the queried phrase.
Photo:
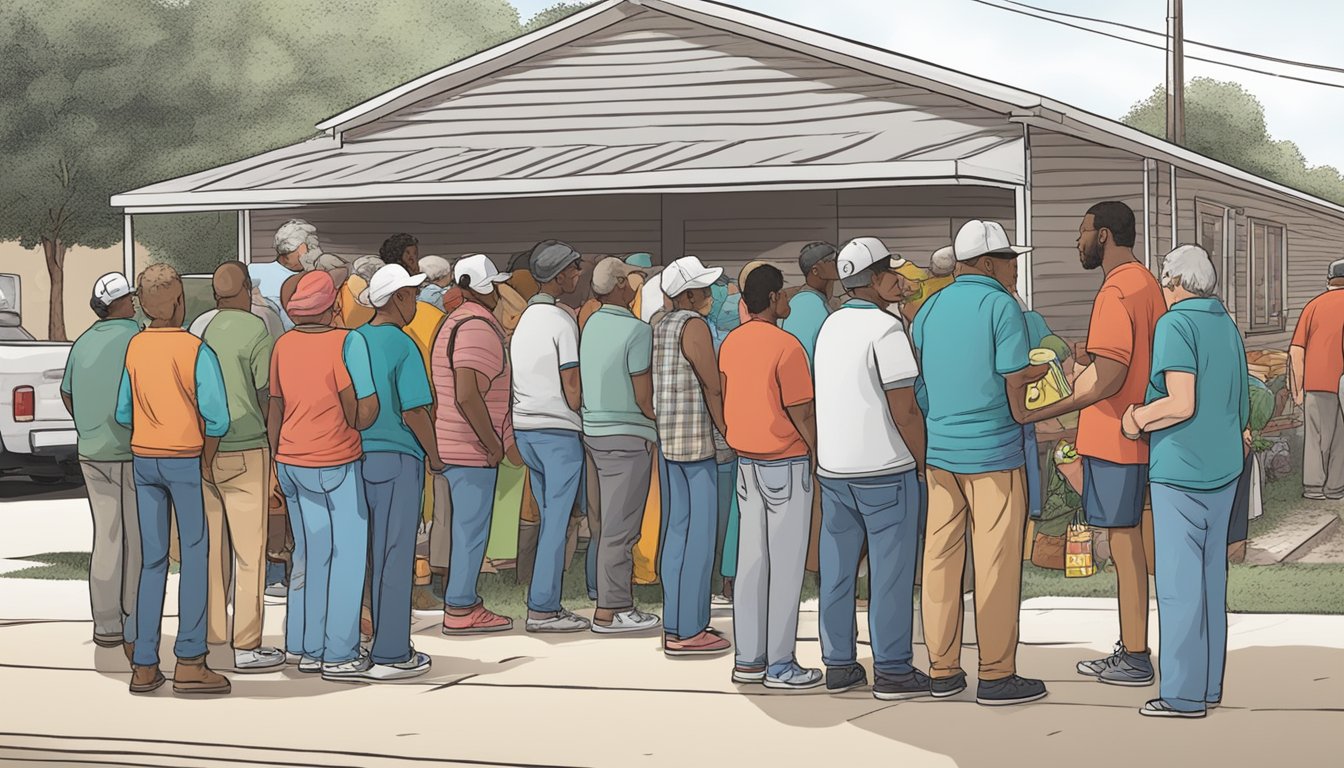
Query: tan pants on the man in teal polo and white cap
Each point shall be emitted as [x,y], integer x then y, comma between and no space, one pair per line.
[994,506]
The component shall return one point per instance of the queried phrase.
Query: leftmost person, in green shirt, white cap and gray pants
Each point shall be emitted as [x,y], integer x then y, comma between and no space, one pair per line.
[96,361]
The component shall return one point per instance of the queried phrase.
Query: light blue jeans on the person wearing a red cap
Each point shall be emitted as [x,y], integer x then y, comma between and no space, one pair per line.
[330,523]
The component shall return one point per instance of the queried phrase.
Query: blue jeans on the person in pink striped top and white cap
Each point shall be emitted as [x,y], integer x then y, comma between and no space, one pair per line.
[474,502]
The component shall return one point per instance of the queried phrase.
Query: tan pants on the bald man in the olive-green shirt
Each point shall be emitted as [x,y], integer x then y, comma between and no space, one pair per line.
[237,523]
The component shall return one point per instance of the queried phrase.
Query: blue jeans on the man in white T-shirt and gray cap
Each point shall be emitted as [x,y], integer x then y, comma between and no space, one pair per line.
[556,461]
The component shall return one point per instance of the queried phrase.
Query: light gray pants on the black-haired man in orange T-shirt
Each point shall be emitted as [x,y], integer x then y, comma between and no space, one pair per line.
[775,501]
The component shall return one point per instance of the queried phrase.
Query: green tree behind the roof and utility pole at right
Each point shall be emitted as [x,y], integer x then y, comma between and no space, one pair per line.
[1226,123]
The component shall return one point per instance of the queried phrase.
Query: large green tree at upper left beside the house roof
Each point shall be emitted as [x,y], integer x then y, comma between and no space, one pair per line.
[104,98]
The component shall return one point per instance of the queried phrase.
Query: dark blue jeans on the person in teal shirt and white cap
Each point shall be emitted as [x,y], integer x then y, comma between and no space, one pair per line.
[394,486]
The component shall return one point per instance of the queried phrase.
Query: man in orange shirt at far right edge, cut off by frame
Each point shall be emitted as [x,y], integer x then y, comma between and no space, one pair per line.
[1318,364]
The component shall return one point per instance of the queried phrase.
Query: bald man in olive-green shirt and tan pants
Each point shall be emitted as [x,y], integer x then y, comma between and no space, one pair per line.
[243,471]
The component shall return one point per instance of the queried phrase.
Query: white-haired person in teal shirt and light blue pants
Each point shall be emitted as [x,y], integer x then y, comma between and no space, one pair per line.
[1195,459]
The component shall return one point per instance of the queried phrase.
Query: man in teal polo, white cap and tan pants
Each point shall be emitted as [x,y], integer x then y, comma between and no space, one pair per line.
[972,344]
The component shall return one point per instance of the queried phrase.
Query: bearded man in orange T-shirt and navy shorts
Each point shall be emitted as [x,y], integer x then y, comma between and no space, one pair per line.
[1120,340]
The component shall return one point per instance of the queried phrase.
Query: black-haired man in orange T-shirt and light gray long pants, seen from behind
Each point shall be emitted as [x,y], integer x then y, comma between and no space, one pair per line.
[768,406]
